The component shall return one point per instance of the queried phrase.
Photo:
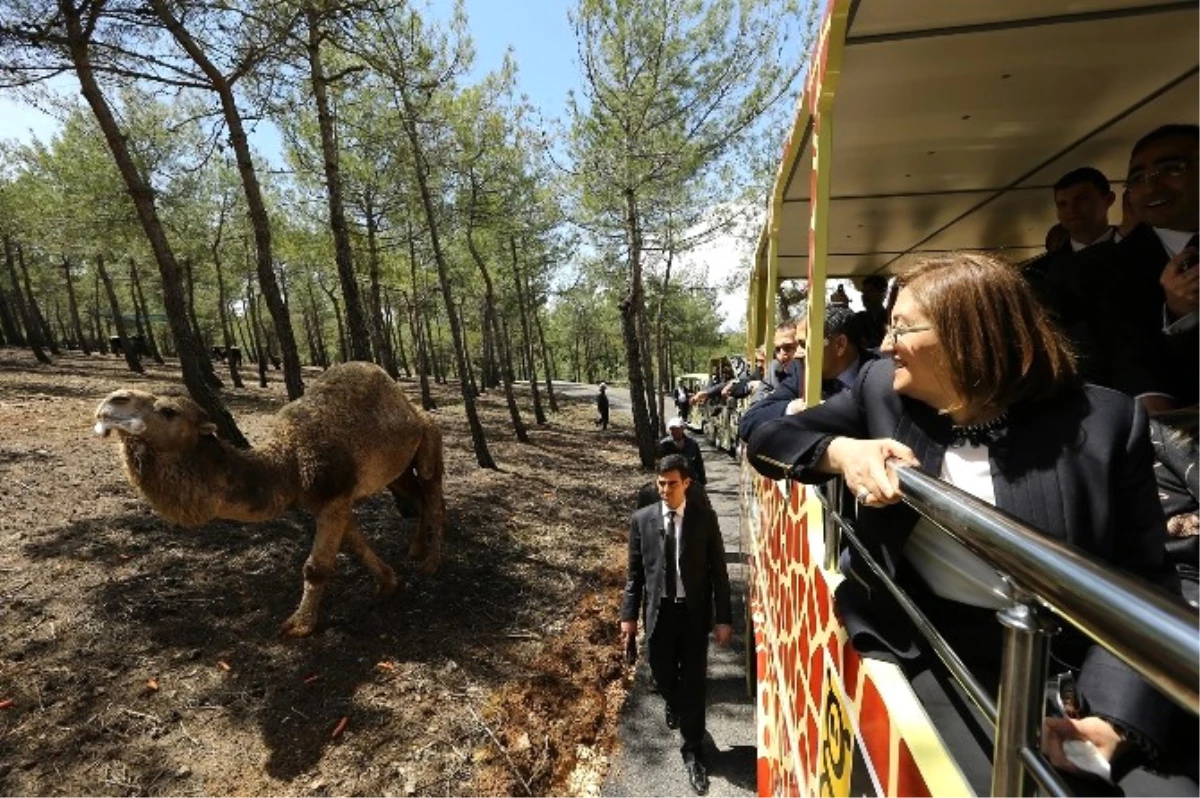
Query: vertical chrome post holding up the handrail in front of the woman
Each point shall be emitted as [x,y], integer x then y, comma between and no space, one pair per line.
[1023,681]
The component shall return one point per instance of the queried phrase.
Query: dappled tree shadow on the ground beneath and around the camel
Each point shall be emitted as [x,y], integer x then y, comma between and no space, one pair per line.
[206,605]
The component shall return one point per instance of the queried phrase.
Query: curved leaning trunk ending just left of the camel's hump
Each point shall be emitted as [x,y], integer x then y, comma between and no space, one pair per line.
[255,203]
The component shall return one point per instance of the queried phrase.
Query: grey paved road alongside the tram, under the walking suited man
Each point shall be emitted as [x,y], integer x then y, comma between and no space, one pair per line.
[647,761]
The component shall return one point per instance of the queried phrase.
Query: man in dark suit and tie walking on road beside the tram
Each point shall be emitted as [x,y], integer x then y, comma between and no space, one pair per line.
[677,565]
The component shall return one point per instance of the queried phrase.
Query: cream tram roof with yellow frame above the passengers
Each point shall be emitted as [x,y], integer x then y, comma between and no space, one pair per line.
[953,121]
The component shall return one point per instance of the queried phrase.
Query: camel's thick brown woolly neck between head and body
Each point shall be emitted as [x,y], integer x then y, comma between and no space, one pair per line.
[214,481]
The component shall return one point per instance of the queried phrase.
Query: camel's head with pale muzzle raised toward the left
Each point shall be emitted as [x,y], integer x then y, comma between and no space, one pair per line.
[166,423]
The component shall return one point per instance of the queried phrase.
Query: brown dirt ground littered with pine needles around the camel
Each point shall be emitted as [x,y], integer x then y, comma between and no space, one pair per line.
[143,659]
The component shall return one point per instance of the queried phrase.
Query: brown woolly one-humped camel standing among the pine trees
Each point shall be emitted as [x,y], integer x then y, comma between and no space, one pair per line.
[353,434]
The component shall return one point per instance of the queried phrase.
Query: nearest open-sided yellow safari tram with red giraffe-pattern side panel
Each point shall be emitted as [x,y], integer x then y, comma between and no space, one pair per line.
[929,127]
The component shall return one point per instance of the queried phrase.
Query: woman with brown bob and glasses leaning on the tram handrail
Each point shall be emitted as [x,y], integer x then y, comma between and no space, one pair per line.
[980,389]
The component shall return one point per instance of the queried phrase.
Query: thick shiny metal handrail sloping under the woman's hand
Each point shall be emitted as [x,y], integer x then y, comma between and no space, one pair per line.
[1157,635]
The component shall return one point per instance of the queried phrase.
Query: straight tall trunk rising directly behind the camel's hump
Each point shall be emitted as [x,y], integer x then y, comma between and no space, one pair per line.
[361,338]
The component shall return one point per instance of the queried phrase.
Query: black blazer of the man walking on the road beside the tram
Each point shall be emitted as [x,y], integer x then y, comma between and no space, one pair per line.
[706,579]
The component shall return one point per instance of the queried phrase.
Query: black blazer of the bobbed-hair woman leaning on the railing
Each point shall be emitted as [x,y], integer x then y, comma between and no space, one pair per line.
[1079,469]
